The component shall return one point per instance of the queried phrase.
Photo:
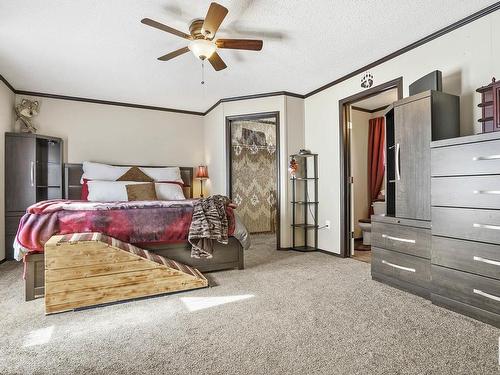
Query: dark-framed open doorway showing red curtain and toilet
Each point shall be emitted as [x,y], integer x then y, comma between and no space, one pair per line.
[362,156]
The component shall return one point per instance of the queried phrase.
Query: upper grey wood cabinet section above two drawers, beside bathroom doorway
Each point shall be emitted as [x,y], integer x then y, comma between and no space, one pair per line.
[418,120]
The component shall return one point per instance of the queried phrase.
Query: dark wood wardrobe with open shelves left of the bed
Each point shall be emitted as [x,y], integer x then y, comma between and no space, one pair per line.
[33,172]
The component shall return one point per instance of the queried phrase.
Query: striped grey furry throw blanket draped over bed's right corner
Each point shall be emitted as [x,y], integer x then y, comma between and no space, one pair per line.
[209,223]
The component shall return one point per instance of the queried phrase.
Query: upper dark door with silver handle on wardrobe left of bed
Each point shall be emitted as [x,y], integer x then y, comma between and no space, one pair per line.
[20,159]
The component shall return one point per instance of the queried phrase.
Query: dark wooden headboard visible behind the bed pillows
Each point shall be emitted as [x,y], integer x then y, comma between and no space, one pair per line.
[73,174]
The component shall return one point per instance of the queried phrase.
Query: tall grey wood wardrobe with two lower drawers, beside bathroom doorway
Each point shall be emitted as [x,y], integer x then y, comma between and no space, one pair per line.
[401,240]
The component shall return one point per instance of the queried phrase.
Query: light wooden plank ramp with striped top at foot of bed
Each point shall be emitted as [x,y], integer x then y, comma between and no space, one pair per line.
[89,269]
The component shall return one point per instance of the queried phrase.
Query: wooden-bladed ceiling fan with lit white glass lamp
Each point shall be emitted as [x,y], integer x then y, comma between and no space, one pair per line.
[201,36]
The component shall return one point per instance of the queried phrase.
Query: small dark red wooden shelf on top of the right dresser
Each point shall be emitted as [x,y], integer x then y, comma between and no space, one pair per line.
[490,106]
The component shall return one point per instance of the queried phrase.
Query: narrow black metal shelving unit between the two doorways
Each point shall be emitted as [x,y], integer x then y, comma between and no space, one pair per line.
[301,198]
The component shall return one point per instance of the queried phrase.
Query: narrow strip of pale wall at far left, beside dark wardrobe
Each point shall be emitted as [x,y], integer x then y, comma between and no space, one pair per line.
[7,118]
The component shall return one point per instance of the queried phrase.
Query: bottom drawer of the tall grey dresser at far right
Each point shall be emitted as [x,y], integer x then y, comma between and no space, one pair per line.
[478,291]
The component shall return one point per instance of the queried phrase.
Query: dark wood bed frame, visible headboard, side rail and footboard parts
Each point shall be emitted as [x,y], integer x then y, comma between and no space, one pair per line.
[225,256]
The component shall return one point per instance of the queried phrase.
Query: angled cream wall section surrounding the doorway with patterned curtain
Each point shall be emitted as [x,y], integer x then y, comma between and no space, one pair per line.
[292,137]
